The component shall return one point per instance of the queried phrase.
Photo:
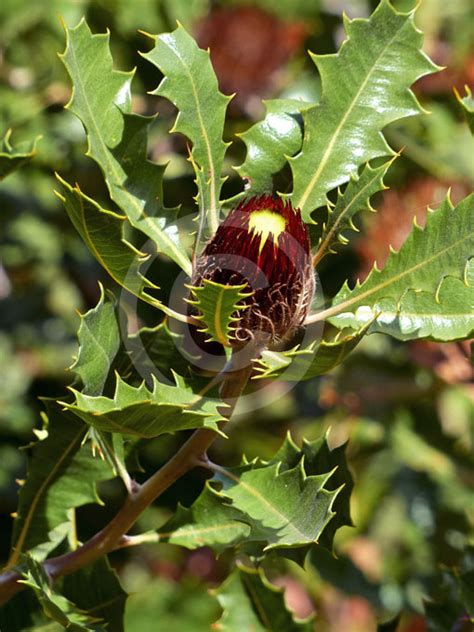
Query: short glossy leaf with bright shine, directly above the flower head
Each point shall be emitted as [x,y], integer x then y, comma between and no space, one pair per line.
[269,142]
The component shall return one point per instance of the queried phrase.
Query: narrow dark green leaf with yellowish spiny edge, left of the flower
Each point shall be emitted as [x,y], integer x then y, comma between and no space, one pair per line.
[102,232]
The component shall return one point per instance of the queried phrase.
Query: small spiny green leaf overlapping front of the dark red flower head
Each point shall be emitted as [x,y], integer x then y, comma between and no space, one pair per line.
[216,305]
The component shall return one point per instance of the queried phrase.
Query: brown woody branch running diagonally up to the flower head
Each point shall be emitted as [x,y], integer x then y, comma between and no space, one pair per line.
[190,455]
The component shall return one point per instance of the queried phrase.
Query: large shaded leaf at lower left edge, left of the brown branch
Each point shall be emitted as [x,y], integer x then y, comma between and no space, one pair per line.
[62,475]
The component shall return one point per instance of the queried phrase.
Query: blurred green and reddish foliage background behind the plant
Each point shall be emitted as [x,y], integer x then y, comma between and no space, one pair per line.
[407,409]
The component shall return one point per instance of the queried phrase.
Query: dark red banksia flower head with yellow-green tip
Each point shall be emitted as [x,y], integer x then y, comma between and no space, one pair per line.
[263,243]
